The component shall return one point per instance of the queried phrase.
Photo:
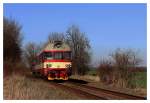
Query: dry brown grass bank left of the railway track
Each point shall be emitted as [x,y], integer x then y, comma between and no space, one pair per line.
[23,87]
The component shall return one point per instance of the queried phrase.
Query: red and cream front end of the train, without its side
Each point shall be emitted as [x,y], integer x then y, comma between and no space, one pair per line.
[57,61]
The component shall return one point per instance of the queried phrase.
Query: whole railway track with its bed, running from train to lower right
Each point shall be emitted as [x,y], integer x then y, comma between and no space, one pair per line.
[92,93]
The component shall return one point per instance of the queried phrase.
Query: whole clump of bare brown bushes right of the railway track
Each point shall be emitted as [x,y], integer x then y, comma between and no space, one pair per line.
[117,69]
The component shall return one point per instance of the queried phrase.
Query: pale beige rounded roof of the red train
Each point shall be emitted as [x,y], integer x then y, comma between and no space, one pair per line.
[56,46]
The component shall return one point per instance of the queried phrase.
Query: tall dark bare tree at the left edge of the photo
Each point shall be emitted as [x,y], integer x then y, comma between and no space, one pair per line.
[12,43]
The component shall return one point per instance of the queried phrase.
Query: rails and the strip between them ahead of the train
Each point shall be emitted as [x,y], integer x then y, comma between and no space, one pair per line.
[107,94]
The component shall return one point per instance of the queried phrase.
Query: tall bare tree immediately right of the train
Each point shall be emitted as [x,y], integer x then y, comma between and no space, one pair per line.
[80,46]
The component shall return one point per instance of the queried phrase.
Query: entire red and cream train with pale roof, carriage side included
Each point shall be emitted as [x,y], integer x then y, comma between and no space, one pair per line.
[54,61]
